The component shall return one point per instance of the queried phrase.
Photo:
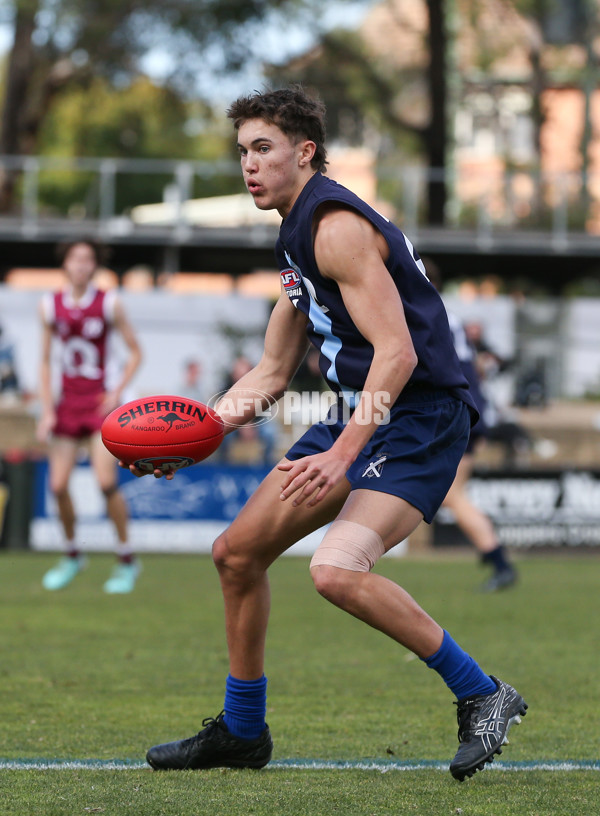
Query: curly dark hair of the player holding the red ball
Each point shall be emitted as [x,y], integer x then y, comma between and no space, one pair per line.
[292,110]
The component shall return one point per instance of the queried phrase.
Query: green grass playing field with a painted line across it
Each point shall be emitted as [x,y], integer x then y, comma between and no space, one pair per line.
[91,677]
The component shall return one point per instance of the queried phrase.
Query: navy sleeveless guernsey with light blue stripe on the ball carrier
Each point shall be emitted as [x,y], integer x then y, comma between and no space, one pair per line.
[345,355]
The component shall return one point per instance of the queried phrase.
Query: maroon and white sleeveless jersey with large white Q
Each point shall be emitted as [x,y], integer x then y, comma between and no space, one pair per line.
[82,327]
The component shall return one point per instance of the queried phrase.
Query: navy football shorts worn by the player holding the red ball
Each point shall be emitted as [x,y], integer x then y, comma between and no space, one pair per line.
[414,456]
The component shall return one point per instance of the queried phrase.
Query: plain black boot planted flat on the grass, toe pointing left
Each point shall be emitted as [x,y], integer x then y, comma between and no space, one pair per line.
[213,747]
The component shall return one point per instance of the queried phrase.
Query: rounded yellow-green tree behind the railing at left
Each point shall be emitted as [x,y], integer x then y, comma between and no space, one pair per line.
[140,121]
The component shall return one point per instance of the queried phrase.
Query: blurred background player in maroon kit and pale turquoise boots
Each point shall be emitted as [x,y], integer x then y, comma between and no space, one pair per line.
[81,318]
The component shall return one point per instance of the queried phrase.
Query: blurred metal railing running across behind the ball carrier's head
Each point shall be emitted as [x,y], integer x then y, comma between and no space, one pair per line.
[106,191]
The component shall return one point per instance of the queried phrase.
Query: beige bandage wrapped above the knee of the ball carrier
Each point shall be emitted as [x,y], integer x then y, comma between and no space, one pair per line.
[350,546]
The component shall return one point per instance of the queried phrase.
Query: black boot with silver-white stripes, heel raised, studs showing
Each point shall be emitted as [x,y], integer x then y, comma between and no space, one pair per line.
[483,724]
